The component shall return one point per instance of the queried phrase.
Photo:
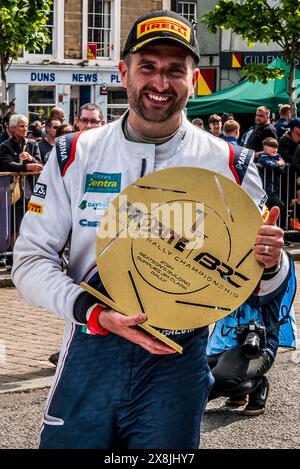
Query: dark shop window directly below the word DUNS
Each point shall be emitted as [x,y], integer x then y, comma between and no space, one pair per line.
[40,100]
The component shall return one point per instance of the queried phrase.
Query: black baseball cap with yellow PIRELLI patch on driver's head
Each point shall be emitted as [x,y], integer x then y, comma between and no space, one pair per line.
[162,25]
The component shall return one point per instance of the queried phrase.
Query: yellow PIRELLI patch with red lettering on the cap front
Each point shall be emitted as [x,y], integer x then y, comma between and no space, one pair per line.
[164,23]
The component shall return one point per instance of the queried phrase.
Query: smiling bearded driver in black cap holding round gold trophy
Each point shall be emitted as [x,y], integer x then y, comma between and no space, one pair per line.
[119,387]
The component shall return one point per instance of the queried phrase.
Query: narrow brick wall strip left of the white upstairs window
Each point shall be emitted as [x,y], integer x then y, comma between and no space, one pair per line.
[73,29]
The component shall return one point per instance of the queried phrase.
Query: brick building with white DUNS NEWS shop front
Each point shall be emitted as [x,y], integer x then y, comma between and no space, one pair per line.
[81,63]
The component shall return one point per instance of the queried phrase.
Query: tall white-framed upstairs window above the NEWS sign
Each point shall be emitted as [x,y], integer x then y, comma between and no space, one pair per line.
[100,26]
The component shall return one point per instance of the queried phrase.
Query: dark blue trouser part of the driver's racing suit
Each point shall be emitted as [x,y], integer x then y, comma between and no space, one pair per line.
[111,393]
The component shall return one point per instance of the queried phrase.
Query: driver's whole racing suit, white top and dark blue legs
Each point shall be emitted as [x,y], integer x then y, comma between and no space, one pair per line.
[109,392]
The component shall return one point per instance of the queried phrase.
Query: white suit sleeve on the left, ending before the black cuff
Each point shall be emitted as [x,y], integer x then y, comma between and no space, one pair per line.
[37,268]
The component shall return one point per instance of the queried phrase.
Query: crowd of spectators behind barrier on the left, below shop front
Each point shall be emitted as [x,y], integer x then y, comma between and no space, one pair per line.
[25,148]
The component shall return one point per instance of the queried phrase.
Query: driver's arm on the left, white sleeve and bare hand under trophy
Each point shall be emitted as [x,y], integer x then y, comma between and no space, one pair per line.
[37,268]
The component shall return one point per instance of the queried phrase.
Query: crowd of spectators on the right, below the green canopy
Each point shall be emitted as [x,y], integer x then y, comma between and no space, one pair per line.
[277,152]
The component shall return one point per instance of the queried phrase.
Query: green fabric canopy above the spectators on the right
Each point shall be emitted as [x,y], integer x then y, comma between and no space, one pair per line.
[245,97]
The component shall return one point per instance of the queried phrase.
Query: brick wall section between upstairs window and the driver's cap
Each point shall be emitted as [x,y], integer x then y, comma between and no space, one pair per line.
[130,11]
